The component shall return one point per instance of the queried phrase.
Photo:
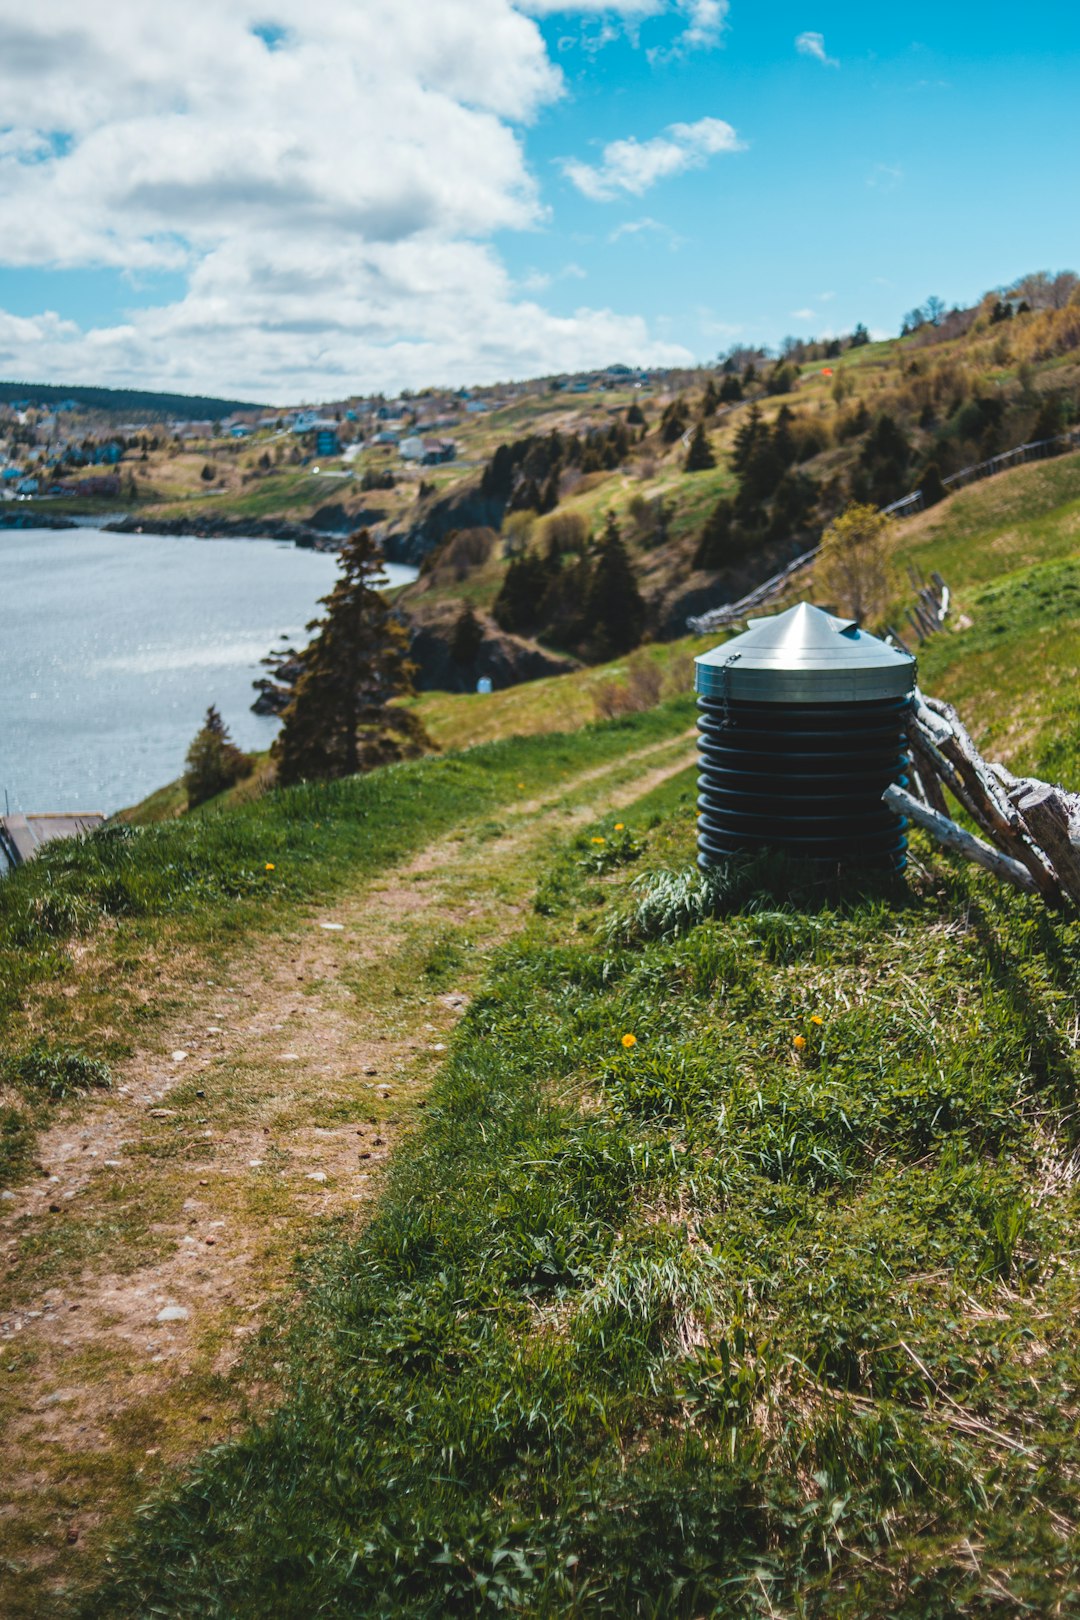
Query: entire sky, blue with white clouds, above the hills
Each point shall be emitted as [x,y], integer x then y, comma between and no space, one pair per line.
[284,202]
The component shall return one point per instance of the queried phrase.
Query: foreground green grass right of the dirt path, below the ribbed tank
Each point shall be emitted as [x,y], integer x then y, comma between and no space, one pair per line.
[772,1311]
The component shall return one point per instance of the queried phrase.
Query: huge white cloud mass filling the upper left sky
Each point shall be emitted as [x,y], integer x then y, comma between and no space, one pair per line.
[328,181]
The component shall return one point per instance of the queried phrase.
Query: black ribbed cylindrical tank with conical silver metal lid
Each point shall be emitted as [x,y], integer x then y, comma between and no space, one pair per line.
[801,731]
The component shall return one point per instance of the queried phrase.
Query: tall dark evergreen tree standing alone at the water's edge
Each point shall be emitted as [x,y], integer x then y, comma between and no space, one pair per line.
[339,717]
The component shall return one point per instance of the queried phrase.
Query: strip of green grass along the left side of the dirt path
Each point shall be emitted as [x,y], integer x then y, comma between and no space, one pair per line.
[200,884]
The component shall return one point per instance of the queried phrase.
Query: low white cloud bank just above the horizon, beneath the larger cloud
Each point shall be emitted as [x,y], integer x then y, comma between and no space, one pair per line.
[270,323]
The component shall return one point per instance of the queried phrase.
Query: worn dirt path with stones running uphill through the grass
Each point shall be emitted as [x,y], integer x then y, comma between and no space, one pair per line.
[148,1268]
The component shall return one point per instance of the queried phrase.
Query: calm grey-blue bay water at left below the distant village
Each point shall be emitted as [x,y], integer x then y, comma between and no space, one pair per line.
[114,646]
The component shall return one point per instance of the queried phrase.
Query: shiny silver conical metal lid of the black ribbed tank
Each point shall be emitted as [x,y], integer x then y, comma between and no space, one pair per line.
[806,655]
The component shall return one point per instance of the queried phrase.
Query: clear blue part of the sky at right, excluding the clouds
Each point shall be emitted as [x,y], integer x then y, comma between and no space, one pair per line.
[935,156]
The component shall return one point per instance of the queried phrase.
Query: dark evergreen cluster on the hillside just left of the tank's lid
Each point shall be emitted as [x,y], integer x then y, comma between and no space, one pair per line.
[585,600]
